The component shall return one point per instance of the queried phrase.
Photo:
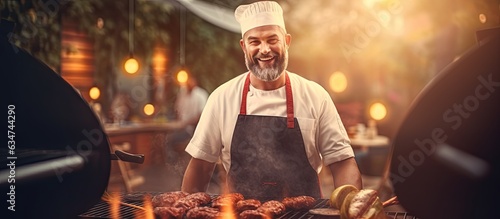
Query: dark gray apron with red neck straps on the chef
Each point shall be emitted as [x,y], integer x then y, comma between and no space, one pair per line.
[268,157]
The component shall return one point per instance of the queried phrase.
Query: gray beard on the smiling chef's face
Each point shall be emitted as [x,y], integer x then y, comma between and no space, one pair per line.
[270,73]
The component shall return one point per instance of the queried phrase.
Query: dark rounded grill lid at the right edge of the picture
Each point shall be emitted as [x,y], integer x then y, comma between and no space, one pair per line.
[445,156]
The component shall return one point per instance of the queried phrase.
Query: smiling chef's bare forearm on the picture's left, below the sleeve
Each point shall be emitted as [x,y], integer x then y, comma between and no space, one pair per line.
[197,176]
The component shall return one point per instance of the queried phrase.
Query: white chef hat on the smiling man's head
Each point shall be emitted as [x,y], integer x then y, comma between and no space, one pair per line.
[258,14]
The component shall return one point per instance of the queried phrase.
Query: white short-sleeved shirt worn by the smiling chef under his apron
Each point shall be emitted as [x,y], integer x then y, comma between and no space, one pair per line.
[325,138]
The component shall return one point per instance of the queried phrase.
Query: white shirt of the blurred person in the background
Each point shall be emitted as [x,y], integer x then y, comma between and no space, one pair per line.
[191,104]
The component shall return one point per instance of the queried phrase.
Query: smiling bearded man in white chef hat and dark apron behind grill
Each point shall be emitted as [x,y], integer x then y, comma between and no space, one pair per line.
[273,130]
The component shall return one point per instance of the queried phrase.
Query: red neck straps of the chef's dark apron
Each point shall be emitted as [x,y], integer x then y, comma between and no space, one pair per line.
[289,100]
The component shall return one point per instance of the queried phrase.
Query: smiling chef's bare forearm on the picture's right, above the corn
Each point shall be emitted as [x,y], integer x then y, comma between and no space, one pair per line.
[346,172]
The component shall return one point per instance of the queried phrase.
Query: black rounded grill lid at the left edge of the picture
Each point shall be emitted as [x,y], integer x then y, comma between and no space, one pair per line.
[61,155]
